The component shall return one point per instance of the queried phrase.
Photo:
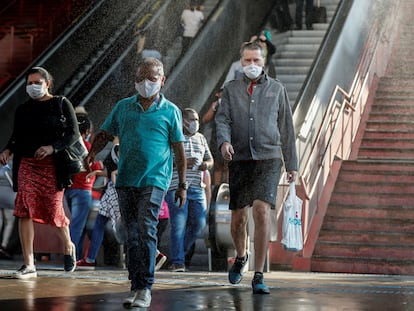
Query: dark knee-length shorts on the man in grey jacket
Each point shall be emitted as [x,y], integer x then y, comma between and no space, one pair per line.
[253,180]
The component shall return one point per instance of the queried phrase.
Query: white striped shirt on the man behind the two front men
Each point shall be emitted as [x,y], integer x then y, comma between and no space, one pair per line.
[195,147]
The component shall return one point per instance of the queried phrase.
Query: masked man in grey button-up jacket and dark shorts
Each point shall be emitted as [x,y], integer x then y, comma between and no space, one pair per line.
[255,134]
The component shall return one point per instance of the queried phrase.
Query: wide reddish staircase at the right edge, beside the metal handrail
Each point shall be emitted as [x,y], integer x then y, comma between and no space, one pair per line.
[369,224]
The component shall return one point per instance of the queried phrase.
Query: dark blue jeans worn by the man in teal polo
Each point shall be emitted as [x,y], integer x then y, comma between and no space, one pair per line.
[139,209]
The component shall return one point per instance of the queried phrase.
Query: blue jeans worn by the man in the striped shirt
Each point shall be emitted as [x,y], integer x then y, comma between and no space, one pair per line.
[187,223]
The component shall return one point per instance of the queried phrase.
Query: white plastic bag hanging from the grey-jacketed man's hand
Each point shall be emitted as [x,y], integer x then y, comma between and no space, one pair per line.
[292,223]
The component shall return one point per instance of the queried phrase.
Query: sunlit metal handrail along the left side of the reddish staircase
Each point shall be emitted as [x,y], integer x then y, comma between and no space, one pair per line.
[337,132]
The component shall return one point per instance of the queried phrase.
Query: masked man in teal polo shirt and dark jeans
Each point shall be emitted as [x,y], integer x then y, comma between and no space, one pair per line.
[149,128]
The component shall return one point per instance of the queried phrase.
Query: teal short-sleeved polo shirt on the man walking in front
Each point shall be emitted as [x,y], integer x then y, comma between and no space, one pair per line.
[146,139]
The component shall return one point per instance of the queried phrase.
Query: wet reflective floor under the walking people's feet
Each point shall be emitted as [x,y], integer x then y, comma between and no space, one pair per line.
[104,289]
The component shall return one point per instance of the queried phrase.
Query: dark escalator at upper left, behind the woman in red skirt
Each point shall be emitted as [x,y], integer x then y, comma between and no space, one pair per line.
[85,52]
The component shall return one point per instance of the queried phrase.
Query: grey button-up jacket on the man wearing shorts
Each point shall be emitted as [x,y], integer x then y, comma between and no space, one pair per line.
[259,126]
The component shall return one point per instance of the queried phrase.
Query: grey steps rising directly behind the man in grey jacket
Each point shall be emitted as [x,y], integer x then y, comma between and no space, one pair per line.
[296,50]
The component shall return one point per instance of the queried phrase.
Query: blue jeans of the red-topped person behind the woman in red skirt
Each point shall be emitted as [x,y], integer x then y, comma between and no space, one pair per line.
[79,202]
